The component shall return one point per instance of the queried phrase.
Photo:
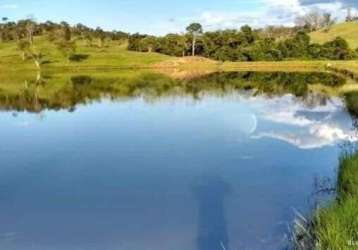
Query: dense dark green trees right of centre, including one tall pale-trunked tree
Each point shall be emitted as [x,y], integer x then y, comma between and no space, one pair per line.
[245,44]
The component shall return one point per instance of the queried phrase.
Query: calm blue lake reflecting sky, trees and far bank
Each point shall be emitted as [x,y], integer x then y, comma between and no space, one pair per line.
[141,161]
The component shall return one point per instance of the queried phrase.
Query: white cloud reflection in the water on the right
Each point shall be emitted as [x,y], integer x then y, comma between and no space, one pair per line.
[302,126]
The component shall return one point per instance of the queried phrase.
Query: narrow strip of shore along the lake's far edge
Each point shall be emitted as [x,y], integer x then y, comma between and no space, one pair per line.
[190,63]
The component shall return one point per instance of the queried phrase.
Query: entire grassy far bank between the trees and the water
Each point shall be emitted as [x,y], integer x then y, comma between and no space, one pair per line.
[115,56]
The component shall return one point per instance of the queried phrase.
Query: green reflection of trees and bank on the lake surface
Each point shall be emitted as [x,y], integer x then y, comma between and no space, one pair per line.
[66,91]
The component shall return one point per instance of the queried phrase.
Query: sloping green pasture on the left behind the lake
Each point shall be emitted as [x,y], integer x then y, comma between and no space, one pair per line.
[113,55]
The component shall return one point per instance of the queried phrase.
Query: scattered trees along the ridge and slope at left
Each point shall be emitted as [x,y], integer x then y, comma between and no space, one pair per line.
[62,35]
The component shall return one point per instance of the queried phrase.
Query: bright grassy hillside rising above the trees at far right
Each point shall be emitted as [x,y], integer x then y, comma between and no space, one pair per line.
[348,31]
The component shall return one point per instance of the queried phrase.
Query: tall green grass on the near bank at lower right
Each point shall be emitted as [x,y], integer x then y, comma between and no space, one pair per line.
[337,225]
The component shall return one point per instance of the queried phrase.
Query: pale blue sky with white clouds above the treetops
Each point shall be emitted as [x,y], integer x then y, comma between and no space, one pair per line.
[163,16]
